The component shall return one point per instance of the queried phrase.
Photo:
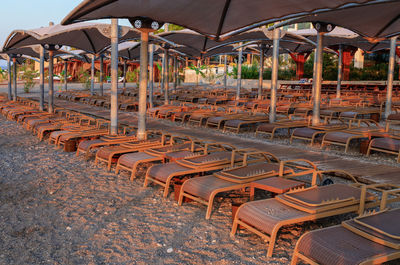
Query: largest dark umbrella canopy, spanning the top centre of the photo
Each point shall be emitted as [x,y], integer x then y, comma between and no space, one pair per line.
[209,17]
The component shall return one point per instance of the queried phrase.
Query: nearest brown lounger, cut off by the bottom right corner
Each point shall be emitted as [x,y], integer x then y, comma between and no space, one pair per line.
[371,238]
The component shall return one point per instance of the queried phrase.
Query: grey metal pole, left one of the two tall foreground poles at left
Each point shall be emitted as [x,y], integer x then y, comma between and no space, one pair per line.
[114,77]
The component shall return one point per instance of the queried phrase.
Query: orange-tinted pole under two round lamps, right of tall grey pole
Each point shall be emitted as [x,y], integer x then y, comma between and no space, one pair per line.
[144,57]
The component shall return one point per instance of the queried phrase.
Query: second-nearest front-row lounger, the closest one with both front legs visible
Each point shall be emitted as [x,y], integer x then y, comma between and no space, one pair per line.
[266,217]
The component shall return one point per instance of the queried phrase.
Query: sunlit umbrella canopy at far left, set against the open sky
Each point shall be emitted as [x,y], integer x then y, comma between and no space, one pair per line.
[90,37]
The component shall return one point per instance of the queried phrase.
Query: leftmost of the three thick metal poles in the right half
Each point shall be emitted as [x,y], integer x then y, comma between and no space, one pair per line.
[274,75]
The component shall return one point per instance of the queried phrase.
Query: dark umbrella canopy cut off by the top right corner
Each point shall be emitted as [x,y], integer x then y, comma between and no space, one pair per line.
[376,20]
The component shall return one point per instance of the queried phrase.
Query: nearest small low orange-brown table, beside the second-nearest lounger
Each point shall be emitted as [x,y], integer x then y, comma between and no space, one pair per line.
[275,185]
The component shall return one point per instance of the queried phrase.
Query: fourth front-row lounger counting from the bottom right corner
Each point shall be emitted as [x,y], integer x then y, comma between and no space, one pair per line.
[222,155]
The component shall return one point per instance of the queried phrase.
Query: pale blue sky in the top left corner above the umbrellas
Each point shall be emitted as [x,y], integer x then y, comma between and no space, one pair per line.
[31,14]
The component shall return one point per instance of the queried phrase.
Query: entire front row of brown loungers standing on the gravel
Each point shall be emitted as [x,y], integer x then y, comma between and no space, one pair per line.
[367,239]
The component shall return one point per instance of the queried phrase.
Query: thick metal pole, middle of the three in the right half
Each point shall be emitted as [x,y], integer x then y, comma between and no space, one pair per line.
[318,80]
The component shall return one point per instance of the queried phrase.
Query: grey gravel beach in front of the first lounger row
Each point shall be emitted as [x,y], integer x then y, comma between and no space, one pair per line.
[56,208]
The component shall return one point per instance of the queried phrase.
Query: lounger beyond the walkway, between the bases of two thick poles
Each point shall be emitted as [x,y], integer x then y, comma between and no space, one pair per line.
[271,128]
